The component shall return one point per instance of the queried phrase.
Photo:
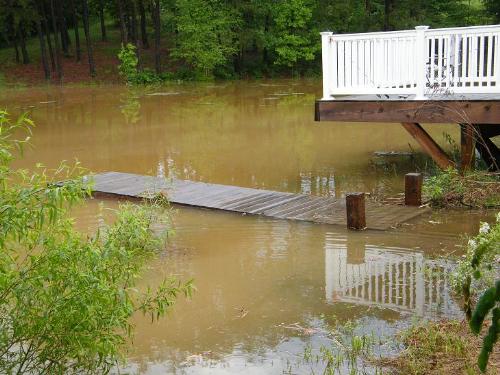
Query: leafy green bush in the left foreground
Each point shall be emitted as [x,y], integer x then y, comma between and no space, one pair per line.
[66,298]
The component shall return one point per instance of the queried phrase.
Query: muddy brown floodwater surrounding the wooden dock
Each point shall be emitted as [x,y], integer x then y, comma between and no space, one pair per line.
[267,290]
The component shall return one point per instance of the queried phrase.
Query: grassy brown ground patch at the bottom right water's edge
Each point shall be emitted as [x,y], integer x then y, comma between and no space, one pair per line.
[443,347]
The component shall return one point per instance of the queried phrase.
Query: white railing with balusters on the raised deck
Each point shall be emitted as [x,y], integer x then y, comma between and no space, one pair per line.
[416,62]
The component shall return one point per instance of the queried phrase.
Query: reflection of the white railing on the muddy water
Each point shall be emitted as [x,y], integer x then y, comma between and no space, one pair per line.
[386,278]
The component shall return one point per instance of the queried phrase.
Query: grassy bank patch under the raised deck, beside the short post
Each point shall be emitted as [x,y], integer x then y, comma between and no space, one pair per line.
[474,189]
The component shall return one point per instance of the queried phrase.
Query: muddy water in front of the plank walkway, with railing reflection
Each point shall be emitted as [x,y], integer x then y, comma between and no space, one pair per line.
[286,276]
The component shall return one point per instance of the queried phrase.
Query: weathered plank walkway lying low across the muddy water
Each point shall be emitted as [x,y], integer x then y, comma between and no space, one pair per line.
[280,205]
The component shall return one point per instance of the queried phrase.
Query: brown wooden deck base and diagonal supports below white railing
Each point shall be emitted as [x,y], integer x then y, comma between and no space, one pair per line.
[477,115]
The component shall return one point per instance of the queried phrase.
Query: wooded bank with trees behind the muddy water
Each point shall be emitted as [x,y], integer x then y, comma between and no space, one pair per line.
[200,39]
